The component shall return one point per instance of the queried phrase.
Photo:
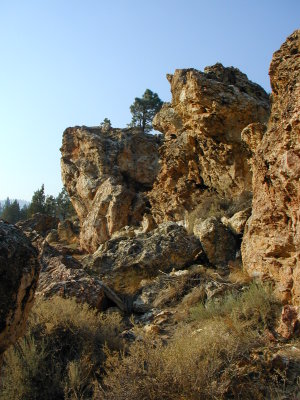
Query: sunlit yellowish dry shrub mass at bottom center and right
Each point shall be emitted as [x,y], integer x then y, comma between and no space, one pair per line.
[203,358]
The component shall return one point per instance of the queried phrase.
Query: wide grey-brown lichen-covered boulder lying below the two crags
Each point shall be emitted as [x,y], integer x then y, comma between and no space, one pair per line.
[123,263]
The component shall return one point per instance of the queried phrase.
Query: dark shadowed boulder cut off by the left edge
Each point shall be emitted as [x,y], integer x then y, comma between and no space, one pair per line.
[19,272]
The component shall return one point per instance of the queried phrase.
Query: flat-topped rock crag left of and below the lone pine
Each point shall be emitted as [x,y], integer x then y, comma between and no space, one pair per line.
[107,174]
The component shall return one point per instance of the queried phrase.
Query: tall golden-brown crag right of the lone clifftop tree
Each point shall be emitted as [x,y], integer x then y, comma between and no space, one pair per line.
[203,149]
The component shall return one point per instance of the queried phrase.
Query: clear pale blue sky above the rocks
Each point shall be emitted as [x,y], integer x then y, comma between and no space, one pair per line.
[75,62]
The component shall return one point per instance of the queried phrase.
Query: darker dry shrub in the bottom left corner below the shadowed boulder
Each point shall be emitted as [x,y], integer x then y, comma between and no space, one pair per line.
[62,353]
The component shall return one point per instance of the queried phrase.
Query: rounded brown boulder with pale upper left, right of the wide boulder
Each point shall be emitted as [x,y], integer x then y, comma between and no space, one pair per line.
[217,241]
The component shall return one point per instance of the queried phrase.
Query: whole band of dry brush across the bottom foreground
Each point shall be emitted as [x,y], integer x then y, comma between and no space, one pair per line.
[219,351]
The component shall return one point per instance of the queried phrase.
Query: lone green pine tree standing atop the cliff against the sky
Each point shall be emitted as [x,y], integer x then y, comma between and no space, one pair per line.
[144,109]
